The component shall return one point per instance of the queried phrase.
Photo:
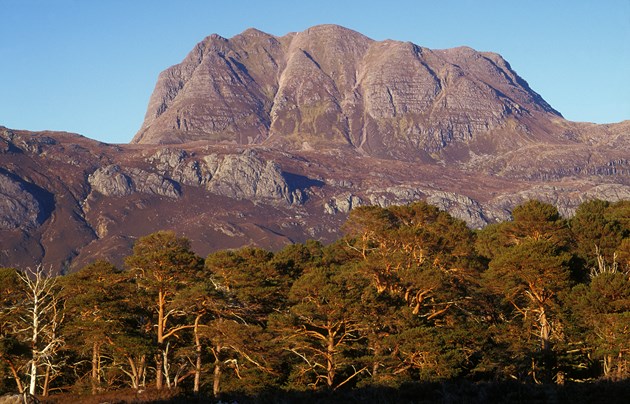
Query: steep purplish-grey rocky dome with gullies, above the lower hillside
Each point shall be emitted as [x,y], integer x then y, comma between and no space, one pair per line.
[331,87]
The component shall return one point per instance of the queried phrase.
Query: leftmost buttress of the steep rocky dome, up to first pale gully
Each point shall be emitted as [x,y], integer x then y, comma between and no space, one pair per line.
[222,91]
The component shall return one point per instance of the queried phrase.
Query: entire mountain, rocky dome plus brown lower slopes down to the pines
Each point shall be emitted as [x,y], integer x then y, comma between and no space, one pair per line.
[264,140]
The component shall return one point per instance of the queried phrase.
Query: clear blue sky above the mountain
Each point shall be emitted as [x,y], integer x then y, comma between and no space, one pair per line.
[89,66]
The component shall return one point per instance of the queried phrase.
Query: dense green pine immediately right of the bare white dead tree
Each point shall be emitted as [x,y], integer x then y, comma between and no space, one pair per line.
[106,324]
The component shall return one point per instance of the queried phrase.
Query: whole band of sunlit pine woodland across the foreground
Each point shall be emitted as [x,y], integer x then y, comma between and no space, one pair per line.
[410,305]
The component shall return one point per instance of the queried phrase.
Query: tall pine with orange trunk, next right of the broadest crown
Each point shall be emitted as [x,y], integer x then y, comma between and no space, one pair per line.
[529,271]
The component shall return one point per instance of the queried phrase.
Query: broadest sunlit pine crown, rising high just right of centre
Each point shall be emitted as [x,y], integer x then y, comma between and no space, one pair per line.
[419,253]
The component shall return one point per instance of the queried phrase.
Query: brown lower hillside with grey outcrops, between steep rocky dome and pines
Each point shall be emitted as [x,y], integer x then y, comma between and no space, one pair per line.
[66,200]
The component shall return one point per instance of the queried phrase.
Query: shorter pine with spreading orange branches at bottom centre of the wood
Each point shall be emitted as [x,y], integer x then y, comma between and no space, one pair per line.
[324,327]
